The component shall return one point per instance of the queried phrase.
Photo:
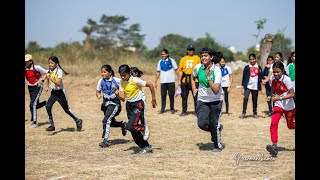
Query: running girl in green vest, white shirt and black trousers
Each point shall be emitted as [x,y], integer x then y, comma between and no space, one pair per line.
[210,95]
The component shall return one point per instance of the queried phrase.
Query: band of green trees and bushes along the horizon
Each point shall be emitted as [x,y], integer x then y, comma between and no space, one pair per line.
[110,33]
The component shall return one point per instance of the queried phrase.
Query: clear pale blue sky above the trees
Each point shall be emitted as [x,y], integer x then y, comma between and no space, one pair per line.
[229,22]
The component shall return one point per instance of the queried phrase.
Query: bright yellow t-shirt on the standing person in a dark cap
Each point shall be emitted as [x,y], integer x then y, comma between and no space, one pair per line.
[187,63]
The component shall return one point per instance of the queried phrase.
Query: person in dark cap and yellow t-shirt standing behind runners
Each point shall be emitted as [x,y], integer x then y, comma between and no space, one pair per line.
[186,65]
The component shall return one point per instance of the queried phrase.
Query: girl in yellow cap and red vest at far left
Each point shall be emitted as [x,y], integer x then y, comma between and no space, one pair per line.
[33,74]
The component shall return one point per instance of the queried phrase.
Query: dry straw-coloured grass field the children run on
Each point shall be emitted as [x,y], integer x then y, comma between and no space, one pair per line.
[181,149]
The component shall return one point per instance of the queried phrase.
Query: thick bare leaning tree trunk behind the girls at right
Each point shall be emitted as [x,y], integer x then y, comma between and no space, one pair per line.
[265,50]
